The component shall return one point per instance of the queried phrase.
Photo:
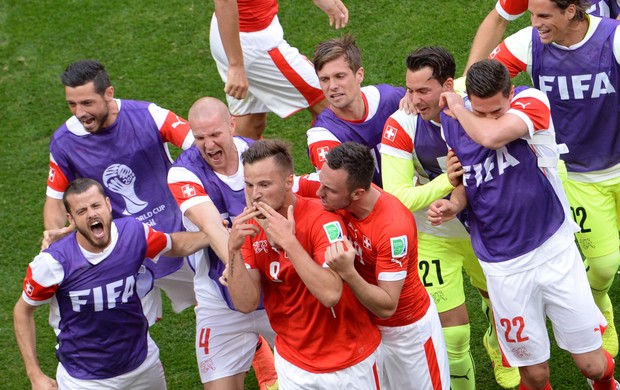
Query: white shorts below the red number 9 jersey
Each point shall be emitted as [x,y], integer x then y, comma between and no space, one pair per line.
[362,376]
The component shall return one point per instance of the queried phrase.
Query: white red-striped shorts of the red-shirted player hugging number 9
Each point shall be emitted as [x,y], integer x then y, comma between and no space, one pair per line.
[415,353]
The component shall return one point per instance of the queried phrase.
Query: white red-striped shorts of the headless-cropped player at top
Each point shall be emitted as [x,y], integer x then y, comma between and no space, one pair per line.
[281,80]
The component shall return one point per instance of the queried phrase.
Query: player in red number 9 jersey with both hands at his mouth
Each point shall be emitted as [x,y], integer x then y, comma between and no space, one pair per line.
[325,337]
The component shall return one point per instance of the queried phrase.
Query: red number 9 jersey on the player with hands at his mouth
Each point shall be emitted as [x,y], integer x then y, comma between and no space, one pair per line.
[309,335]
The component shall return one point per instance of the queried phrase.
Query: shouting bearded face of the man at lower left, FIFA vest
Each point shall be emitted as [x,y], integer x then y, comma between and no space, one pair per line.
[91,214]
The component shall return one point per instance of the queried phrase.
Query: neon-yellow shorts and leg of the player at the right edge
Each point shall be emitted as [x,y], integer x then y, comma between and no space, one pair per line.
[595,209]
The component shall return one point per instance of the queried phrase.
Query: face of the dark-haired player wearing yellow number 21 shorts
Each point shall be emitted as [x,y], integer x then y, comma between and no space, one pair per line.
[423,92]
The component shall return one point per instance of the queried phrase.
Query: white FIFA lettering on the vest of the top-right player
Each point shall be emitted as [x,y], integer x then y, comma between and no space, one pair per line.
[578,87]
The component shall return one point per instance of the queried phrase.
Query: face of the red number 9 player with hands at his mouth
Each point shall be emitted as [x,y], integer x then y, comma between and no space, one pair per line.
[266,182]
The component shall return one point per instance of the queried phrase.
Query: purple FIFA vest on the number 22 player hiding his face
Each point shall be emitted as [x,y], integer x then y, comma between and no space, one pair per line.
[504,188]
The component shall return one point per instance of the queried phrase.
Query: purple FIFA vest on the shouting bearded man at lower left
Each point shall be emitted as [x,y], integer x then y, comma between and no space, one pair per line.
[102,327]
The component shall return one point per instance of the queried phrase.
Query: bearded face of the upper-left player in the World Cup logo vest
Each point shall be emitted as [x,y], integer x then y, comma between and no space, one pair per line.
[90,108]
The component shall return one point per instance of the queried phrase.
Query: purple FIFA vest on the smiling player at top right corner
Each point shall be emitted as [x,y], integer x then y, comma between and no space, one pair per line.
[582,86]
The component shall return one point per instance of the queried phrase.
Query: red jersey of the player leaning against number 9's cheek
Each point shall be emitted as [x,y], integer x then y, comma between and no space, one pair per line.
[386,245]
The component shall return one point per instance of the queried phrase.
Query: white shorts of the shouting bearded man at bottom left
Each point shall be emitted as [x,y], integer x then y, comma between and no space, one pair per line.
[148,376]
